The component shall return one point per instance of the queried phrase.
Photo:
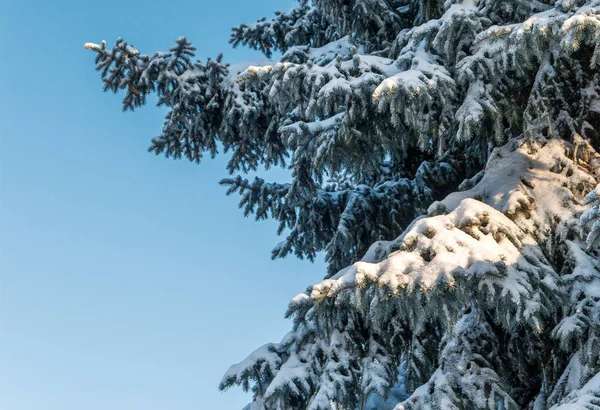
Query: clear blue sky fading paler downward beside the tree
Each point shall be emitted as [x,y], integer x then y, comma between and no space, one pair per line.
[127,281]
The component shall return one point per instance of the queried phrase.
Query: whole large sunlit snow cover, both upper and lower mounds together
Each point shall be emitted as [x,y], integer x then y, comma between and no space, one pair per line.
[491,240]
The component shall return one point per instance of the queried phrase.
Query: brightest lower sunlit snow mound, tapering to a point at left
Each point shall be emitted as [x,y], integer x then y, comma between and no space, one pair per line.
[458,254]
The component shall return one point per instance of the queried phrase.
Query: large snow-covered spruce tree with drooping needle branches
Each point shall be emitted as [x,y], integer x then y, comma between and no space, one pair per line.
[443,157]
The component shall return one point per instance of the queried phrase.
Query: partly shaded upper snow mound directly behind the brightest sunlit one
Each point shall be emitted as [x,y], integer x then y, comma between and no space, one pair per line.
[519,184]
